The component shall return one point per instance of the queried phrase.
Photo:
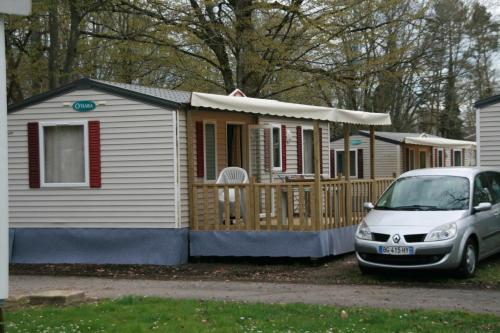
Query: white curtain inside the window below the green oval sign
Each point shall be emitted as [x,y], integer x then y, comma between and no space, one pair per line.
[64,154]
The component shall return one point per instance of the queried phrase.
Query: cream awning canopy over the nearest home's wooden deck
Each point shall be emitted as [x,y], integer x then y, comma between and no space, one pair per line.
[282,109]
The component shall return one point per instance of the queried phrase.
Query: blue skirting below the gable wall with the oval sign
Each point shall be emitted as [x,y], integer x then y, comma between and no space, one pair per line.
[99,246]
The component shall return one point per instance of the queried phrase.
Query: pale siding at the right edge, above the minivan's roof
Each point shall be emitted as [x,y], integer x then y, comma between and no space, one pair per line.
[488,136]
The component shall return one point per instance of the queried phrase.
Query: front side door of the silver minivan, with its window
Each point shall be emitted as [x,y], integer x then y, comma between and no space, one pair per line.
[484,220]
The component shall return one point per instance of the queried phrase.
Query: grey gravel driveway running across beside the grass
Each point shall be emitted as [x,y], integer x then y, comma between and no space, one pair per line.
[485,301]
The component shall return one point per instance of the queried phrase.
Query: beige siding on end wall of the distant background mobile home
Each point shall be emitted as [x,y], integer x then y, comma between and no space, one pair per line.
[386,155]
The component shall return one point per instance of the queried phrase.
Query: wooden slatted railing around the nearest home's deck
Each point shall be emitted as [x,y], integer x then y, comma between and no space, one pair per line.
[282,206]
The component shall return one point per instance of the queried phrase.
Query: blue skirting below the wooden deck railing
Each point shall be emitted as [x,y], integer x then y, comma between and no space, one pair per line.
[272,243]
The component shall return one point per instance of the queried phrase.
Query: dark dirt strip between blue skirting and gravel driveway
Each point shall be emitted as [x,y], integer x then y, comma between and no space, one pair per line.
[333,270]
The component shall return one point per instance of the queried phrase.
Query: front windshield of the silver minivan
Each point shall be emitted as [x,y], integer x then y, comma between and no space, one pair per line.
[426,193]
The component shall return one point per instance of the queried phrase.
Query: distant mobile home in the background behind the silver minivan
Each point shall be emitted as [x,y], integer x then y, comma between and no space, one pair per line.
[399,152]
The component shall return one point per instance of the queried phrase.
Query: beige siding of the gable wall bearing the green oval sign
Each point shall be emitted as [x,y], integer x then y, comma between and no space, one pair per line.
[137,168]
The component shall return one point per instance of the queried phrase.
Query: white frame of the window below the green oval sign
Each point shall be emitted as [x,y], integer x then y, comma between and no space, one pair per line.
[41,140]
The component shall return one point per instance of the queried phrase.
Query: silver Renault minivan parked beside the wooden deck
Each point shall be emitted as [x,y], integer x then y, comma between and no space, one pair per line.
[440,218]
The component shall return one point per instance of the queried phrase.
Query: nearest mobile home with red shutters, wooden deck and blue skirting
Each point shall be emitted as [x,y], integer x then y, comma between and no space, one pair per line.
[102,172]
